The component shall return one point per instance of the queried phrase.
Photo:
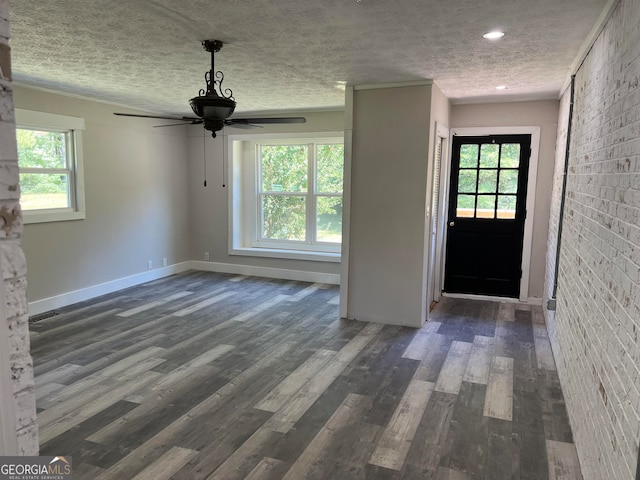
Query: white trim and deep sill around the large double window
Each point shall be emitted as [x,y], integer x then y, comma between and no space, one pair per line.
[243,238]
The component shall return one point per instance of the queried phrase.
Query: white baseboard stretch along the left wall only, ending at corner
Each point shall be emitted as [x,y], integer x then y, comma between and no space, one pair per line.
[69,298]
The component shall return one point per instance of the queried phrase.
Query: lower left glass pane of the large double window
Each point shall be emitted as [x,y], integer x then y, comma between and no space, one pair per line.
[283,217]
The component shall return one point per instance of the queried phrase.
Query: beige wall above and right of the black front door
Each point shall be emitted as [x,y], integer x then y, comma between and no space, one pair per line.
[541,113]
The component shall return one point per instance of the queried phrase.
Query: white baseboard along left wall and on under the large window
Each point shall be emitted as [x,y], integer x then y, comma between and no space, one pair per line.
[69,298]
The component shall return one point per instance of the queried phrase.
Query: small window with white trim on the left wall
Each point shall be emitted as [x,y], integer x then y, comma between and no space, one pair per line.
[50,161]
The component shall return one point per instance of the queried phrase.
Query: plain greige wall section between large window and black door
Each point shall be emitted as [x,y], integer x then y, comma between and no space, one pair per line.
[388,199]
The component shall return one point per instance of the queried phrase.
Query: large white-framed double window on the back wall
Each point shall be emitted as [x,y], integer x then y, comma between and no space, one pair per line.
[291,191]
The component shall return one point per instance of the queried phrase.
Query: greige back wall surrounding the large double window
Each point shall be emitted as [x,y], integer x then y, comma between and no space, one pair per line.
[209,211]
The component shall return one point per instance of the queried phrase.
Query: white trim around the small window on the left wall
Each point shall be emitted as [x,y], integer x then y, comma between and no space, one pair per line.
[51,122]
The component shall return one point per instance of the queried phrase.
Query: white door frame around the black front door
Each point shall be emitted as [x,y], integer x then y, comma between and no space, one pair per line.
[530,204]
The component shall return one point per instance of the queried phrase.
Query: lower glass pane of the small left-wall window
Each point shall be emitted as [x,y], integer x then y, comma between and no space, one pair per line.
[44,191]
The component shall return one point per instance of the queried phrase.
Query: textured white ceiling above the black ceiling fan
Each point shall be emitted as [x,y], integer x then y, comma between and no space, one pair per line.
[291,55]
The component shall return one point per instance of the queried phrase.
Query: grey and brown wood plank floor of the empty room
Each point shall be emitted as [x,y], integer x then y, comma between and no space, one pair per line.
[213,376]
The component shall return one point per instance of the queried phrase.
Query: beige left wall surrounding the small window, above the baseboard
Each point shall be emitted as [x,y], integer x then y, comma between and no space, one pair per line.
[136,198]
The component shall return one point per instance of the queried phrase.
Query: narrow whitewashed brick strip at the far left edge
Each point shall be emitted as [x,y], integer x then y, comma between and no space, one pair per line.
[12,258]
